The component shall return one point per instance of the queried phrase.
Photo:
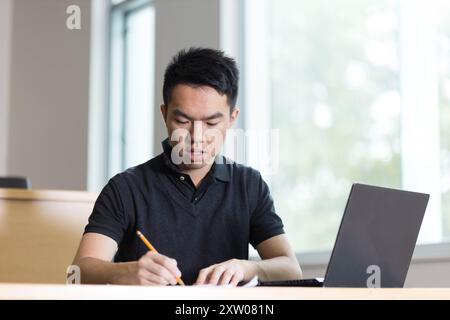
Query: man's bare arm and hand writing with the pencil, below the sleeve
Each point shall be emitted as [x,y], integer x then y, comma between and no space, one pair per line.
[95,255]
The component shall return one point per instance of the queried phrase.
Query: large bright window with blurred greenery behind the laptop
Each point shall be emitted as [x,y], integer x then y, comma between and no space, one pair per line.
[357,91]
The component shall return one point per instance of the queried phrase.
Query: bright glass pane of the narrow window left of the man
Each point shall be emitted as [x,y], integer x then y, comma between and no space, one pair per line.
[139,86]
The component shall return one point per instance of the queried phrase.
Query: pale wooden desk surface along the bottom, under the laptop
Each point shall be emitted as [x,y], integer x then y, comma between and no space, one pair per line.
[52,291]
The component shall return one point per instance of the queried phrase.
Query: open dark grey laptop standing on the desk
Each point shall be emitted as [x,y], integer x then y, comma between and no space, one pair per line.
[375,241]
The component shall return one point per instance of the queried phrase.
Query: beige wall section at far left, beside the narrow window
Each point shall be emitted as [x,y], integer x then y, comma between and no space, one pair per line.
[49,94]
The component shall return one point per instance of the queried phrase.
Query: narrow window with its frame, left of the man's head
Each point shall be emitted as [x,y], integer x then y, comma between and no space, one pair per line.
[132,84]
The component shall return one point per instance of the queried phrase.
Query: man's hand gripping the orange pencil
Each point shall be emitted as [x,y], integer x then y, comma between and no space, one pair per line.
[151,269]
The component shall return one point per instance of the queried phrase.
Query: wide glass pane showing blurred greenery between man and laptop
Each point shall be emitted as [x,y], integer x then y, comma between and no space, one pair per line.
[334,73]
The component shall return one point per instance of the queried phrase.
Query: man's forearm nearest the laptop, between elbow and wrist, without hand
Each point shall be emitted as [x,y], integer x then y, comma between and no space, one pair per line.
[279,268]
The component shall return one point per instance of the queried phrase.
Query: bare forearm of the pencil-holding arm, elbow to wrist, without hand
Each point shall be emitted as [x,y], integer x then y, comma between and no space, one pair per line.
[97,271]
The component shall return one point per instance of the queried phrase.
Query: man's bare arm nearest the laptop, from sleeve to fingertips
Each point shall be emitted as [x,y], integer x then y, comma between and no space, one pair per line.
[279,263]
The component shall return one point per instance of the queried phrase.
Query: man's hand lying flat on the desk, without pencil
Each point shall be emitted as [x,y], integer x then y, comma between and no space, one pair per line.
[230,272]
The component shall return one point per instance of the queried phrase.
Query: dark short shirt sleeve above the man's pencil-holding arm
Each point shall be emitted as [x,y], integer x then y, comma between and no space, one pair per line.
[108,216]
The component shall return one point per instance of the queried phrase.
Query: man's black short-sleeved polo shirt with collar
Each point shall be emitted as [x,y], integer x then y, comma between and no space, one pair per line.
[198,227]
